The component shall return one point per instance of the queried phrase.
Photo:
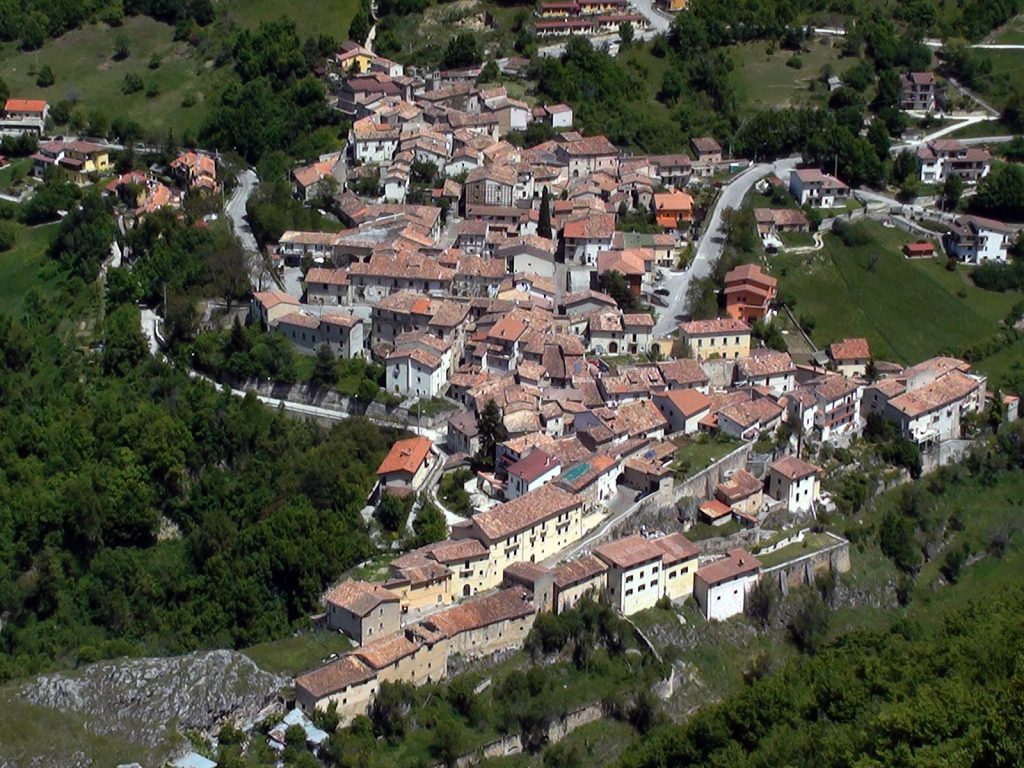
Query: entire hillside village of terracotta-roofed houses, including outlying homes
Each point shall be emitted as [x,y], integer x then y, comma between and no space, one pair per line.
[565,385]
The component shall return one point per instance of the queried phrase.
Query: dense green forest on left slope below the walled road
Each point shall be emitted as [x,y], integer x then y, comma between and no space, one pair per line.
[142,511]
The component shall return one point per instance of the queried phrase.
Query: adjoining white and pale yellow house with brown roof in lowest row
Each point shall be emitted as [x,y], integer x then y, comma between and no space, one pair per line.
[643,571]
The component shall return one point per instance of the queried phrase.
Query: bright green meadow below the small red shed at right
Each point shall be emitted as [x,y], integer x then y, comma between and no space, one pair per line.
[909,311]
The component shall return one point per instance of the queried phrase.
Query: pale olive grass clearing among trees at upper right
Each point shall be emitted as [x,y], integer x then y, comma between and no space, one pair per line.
[763,80]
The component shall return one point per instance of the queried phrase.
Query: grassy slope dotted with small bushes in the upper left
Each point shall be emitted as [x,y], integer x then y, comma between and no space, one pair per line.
[87,72]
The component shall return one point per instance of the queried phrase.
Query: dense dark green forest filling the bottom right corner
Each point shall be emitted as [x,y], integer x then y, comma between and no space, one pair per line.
[947,694]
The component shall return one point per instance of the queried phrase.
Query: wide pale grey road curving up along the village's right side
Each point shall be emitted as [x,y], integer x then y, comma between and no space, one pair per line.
[713,241]
